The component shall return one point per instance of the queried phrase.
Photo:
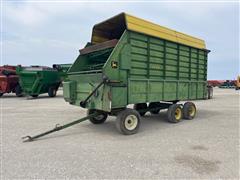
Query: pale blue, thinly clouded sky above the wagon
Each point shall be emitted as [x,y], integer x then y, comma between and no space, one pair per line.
[45,33]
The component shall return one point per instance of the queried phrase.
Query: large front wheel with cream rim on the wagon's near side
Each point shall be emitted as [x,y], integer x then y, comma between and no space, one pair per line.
[122,118]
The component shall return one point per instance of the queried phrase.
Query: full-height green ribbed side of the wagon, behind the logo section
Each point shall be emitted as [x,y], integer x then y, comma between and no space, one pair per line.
[163,70]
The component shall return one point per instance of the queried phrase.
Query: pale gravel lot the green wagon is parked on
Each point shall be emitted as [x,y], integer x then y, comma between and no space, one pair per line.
[206,147]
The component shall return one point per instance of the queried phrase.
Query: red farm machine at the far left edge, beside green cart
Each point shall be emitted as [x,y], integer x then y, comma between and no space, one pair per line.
[9,81]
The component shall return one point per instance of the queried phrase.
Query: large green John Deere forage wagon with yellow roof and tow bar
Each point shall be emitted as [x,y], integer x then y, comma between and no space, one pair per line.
[133,61]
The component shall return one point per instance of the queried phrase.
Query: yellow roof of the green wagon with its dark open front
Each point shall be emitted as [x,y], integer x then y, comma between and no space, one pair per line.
[115,26]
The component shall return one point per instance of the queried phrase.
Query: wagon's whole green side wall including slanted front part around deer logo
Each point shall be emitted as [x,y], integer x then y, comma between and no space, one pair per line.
[156,70]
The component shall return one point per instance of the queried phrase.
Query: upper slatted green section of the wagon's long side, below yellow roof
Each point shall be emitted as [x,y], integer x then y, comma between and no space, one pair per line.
[157,58]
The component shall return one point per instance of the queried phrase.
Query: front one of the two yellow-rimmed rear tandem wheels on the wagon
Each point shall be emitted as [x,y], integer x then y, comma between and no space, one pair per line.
[171,113]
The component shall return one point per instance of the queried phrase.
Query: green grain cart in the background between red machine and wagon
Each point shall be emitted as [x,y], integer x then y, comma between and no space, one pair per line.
[36,80]
